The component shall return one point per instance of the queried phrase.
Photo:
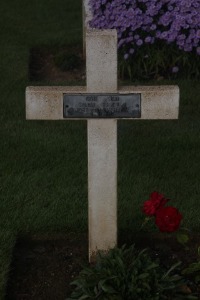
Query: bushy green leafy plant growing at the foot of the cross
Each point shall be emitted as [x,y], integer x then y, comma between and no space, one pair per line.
[127,274]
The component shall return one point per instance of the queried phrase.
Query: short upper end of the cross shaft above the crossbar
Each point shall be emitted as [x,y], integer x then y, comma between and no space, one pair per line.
[101,57]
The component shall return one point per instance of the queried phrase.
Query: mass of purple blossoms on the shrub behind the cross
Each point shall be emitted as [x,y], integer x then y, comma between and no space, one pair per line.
[140,22]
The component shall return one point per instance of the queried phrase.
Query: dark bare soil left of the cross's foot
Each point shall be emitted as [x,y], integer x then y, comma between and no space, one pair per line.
[43,267]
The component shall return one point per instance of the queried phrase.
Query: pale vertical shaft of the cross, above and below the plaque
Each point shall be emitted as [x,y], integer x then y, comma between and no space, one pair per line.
[101,65]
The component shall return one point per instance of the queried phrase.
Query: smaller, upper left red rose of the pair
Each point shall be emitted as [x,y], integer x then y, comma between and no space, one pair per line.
[155,202]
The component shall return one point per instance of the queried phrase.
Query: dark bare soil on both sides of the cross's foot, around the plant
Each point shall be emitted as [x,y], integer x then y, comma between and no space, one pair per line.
[44,266]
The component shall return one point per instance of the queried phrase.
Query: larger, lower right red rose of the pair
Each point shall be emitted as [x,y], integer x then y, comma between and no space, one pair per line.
[168,219]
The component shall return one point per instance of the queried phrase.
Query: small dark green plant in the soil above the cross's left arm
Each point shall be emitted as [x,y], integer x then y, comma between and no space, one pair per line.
[67,61]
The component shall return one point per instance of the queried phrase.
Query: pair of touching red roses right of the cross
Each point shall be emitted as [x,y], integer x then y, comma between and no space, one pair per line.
[167,218]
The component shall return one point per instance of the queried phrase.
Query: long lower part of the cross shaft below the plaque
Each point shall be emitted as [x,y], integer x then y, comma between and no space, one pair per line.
[102,184]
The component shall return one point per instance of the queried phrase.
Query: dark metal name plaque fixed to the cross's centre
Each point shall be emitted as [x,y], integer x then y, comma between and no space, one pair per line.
[102,105]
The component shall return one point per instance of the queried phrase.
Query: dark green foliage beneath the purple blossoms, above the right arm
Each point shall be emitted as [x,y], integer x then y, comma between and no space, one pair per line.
[159,61]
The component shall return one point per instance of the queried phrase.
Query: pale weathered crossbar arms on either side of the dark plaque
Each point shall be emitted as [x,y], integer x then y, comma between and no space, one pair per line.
[157,102]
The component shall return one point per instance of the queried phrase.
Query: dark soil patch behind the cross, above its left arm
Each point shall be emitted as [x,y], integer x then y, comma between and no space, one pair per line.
[49,64]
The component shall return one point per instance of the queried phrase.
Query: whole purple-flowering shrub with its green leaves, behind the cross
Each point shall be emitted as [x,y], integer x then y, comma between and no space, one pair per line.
[146,27]
